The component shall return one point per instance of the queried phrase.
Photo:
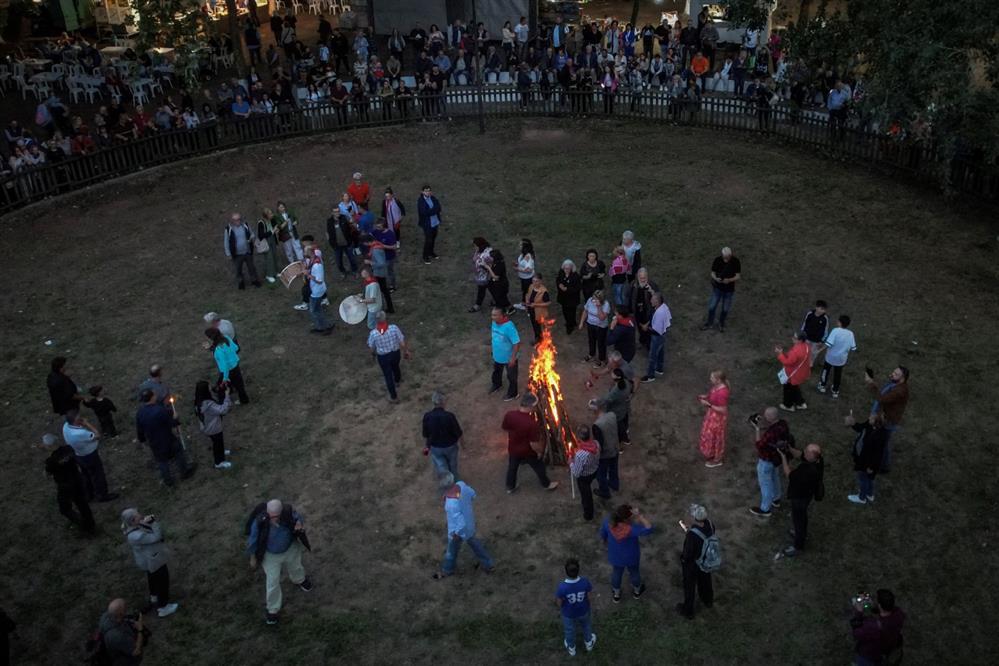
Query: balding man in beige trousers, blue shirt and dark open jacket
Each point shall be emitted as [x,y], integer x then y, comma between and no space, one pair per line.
[276,540]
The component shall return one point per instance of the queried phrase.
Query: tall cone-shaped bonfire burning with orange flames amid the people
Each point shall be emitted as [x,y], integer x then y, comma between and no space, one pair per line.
[545,383]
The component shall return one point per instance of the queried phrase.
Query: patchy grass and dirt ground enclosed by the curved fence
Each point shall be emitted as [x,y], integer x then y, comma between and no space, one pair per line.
[119,276]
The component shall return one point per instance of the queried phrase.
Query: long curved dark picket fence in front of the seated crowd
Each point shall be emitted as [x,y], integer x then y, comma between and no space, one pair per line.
[782,122]
